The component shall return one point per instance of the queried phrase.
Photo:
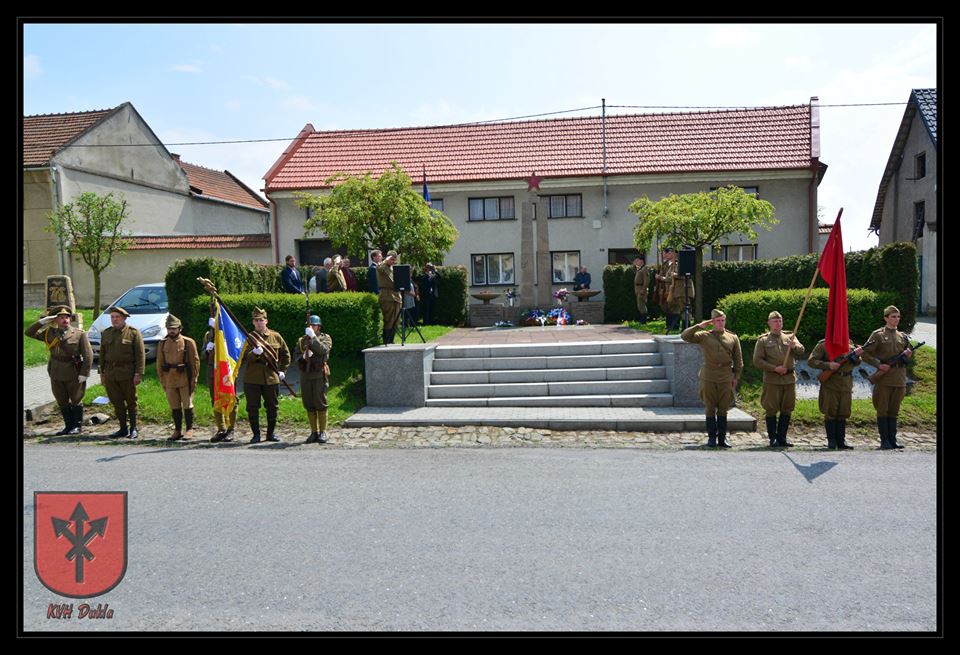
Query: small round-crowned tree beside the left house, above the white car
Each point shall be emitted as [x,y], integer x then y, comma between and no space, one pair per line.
[92,226]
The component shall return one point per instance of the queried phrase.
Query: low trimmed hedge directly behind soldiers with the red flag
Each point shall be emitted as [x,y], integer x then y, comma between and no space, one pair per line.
[747,312]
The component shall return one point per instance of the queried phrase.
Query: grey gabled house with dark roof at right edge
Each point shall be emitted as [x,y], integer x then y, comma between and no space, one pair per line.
[906,207]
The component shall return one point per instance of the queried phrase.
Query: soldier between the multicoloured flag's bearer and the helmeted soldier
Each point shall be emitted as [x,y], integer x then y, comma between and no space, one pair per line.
[259,378]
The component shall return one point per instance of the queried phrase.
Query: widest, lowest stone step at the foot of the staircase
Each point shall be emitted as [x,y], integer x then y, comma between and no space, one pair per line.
[624,419]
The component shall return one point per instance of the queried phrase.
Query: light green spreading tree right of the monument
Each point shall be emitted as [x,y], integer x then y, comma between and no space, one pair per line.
[698,220]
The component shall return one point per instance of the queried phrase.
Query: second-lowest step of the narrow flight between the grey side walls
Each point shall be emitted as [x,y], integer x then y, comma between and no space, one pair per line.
[629,387]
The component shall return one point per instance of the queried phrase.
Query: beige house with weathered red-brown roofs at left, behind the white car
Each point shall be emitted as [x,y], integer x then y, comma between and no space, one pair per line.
[177,209]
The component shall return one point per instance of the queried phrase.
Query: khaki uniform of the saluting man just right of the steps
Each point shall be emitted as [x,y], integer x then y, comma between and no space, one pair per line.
[722,363]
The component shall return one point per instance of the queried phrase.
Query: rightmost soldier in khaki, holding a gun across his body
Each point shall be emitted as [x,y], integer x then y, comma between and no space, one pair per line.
[889,390]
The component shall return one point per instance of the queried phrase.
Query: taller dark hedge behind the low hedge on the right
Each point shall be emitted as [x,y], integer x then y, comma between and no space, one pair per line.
[891,268]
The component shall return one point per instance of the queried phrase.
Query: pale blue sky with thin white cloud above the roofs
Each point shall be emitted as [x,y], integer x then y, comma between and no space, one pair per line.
[233,82]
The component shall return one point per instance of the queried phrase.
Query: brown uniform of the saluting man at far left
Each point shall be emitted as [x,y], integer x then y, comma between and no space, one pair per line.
[70,357]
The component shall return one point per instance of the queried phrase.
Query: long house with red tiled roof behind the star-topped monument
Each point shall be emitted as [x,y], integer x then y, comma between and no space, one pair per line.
[590,169]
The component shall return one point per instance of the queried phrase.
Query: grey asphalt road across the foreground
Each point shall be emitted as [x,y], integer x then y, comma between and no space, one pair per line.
[488,539]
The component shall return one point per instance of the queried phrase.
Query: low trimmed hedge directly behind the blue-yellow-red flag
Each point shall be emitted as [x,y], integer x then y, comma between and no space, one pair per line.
[353,320]
